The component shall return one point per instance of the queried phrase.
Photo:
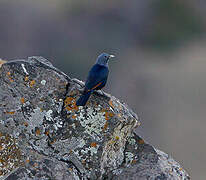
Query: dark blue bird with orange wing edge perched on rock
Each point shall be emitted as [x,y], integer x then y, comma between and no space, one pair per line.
[96,79]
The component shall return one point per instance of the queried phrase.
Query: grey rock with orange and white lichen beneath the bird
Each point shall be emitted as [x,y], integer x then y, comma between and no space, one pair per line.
[44,135]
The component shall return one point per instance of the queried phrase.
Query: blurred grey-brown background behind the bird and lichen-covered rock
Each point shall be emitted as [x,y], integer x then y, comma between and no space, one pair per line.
[160,64]
